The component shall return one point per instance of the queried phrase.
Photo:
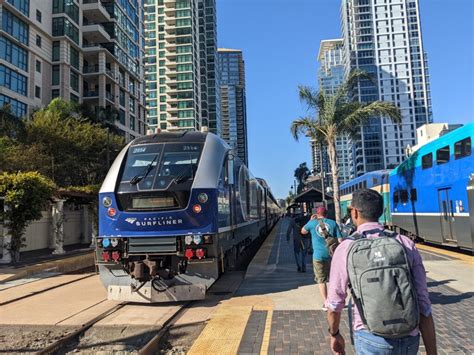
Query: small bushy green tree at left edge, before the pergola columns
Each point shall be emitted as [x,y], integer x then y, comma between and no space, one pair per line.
[25,195]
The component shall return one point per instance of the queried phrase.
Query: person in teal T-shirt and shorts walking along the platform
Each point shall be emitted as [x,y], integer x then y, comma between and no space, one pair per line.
[318,226]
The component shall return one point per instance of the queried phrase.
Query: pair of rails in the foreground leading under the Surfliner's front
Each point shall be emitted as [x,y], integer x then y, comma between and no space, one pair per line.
[69,342]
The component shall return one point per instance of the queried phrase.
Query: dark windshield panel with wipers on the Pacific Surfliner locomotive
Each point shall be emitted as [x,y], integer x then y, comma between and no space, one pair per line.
[158,176]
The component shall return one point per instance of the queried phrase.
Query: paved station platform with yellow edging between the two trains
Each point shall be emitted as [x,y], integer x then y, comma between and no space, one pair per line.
[277,310]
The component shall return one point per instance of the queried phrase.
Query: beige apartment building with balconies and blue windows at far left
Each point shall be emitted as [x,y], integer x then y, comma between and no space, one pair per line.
[87,51]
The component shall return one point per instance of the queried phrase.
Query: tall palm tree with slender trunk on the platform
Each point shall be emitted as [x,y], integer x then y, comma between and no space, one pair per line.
[337,116]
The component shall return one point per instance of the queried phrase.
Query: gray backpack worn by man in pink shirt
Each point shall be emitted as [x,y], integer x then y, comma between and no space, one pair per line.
[381,284]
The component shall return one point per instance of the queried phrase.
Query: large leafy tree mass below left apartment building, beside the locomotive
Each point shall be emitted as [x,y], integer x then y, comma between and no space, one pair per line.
[60,143]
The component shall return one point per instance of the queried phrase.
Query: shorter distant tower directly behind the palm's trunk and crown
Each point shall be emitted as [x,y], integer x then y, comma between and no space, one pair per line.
[330,77]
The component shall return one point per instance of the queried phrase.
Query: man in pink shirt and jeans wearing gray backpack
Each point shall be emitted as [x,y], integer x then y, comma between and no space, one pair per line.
[387,280]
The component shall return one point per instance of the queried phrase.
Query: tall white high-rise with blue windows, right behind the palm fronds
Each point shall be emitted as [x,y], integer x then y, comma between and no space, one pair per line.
[383,37]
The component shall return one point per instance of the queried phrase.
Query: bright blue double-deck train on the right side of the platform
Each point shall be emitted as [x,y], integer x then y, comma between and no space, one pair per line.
[431,194]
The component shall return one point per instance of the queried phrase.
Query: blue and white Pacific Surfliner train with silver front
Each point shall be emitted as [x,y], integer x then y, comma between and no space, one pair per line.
[175,211]
